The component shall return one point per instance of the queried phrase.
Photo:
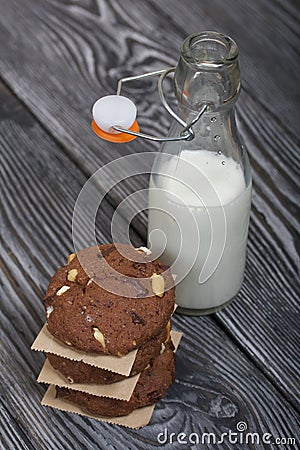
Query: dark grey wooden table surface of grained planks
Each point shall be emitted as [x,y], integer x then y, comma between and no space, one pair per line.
[56,58]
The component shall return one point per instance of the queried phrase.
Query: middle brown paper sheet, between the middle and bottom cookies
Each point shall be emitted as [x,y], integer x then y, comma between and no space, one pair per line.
[121,390]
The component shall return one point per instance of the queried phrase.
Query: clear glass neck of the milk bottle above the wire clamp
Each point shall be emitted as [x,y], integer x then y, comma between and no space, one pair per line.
[207,72]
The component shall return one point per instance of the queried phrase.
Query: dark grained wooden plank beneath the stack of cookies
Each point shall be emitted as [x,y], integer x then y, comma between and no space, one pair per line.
[216,385]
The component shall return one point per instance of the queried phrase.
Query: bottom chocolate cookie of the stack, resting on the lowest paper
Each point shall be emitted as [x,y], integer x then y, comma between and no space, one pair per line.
[151,387]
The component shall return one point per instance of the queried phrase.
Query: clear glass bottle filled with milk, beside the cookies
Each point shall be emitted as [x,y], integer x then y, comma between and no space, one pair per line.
[200,190]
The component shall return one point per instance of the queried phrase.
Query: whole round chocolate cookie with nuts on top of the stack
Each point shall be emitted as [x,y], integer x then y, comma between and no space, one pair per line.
[106,302]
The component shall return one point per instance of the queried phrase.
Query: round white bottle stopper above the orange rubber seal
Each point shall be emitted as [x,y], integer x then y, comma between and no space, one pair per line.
[114,110]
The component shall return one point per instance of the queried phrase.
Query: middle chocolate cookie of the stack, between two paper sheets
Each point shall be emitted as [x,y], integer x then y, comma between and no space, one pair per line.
[79,372]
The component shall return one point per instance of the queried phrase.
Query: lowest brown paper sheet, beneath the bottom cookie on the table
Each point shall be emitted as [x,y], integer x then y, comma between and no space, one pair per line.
[137,419]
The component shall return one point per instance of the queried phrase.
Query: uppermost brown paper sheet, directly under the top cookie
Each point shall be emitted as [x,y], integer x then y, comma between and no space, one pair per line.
[45,342]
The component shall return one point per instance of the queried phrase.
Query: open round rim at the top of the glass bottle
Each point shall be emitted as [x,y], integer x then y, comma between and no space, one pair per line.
[209,49]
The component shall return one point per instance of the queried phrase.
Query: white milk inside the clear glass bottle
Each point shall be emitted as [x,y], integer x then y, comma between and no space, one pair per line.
[221,216]
